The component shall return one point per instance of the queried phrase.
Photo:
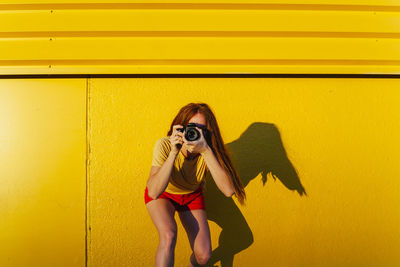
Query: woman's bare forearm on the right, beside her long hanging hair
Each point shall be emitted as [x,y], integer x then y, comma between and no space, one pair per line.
[220,176]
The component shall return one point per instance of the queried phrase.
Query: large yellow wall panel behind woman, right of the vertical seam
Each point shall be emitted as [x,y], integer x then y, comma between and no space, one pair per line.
[336,138]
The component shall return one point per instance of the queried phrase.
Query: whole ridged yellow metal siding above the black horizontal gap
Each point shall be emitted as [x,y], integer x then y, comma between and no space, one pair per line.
[232,36]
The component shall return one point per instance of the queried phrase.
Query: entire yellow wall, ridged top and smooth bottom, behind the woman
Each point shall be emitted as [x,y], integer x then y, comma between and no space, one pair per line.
[319,156]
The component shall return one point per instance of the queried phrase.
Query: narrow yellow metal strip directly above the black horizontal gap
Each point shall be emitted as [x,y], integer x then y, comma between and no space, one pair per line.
[331,68]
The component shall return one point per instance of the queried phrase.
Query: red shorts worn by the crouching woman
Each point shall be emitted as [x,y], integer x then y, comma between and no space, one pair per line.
[182,202]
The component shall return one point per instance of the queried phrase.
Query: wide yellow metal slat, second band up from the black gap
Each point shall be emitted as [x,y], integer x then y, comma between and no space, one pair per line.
[208,49]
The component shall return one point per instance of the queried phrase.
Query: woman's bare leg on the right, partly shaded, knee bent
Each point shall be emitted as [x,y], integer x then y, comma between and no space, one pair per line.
[196,226]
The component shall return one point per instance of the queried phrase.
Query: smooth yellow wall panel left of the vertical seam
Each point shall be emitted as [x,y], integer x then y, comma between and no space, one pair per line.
[42,172]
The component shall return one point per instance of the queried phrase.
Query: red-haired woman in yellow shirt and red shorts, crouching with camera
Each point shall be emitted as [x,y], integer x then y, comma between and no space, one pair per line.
[176,183]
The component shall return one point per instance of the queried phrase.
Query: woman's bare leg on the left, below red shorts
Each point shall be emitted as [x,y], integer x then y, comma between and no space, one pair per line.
[162,214]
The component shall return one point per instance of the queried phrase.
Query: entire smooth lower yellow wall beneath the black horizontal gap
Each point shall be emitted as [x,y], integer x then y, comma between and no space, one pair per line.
[335,138]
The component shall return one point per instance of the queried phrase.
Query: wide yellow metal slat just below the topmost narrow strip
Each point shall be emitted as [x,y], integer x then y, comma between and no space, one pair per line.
[201,22]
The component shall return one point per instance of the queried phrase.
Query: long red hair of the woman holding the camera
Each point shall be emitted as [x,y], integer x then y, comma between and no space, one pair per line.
[214,141]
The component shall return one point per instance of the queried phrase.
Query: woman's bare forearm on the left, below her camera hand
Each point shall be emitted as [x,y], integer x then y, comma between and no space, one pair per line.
[158,181]
